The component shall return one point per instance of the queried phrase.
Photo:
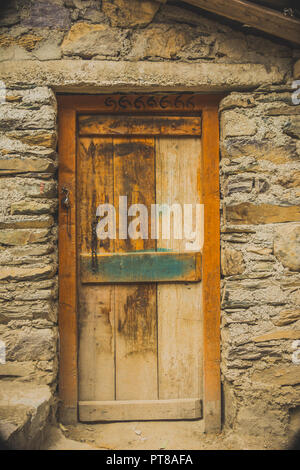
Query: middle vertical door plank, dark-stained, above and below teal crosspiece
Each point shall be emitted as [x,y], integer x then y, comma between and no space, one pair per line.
[135,305]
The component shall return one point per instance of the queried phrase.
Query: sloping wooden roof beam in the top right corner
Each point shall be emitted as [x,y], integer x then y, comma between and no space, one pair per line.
[262,18]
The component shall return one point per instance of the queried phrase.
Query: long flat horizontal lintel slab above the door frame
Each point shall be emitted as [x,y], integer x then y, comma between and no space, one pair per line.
[82,76]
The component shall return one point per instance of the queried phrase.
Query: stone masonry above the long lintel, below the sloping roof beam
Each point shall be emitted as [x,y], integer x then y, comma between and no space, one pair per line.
[127,30]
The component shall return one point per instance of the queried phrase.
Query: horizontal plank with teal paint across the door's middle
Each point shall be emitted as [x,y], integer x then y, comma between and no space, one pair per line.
[142,267]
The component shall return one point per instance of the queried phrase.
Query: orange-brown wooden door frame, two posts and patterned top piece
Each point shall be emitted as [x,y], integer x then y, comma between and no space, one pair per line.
[69,106]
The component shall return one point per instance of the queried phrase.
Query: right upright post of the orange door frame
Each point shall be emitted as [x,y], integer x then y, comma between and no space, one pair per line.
[211,269]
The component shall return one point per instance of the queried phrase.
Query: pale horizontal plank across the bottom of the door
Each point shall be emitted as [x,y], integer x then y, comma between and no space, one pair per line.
[134,410]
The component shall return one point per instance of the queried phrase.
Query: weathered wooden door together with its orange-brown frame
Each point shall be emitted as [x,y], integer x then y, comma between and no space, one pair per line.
[139,317]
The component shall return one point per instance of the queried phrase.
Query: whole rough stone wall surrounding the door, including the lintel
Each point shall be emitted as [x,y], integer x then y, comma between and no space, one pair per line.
[118,45]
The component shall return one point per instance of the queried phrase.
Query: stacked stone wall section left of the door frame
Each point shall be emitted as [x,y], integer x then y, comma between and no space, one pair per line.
[28,251]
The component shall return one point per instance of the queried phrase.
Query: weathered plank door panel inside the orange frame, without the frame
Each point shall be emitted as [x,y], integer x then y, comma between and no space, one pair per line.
[140,319]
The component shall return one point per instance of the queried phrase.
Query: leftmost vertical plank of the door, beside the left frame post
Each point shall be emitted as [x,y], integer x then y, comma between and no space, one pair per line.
[95,303]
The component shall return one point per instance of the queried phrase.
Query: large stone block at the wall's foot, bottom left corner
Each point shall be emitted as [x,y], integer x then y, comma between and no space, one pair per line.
[24,414]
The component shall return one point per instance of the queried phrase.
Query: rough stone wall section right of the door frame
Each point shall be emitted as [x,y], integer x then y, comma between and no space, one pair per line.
[260,259]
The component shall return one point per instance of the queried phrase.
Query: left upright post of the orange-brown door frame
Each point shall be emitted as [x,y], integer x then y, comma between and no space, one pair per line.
[67,267]
